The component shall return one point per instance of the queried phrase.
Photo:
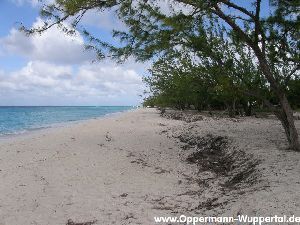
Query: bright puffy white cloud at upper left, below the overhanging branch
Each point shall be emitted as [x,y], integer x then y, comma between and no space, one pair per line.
[52,46]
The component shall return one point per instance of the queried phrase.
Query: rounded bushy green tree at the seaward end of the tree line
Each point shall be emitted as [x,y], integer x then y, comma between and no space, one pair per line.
[180,82]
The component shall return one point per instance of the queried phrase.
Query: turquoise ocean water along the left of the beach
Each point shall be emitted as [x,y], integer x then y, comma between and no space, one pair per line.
[20,119]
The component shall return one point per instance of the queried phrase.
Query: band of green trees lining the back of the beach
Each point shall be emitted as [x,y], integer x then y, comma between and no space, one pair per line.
[180,83]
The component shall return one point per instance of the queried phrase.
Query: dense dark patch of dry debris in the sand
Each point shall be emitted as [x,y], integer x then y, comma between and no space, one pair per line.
[212,154]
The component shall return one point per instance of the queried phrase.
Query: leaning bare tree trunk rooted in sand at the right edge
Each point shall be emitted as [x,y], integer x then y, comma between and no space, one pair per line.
[285,114]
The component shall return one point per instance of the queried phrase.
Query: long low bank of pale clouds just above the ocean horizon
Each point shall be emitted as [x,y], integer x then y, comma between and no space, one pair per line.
[89,84]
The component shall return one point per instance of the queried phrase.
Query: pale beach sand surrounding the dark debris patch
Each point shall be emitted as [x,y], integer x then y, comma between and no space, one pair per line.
[128,168]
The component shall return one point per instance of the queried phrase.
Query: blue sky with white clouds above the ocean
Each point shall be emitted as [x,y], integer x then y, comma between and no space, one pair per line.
[54,69]
